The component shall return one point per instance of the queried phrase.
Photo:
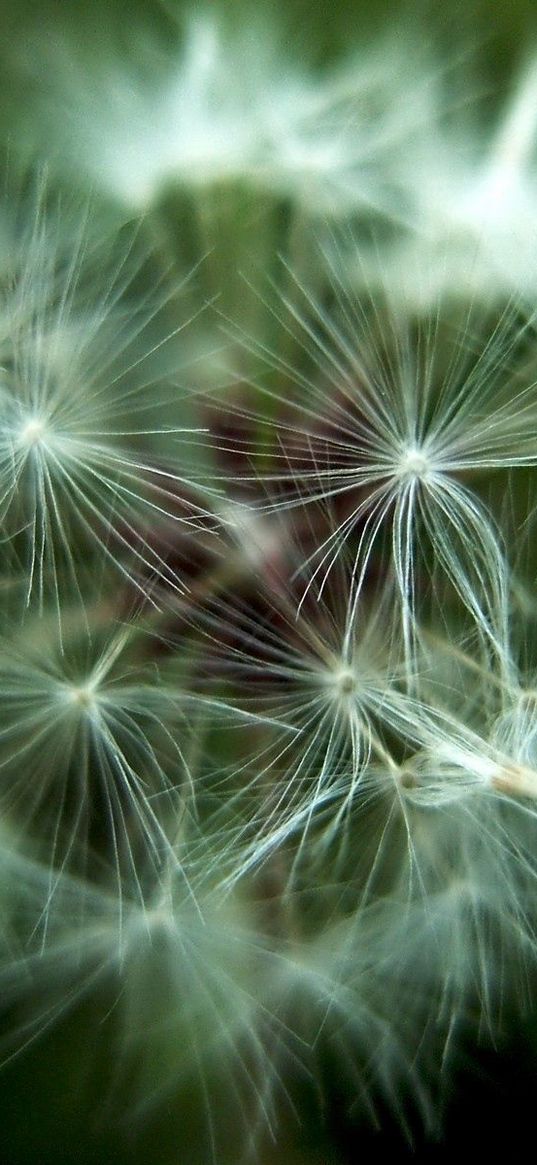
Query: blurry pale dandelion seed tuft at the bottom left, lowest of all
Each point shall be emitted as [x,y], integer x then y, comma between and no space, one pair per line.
[189,978]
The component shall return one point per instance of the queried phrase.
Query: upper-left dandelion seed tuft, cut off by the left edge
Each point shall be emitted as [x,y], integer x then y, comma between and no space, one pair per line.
[88,457]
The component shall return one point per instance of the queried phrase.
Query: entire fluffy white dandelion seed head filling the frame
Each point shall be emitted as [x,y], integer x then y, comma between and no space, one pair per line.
[358,756]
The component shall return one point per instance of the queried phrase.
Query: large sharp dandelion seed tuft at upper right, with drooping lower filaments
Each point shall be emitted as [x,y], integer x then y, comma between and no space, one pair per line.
[391,423]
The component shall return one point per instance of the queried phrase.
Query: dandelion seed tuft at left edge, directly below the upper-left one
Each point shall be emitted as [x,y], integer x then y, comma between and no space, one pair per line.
[91,747]
